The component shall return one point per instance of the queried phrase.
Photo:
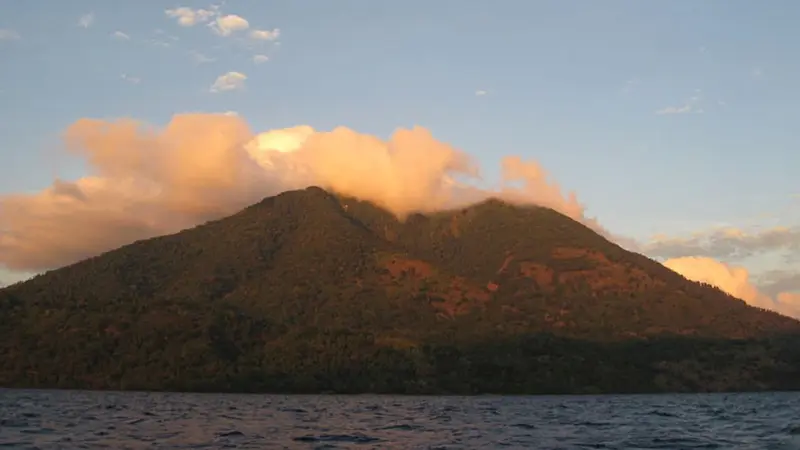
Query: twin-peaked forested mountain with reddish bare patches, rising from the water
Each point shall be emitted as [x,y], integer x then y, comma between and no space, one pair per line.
[309,291]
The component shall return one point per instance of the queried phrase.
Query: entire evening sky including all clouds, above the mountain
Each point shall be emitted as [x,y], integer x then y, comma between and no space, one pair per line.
[669,123]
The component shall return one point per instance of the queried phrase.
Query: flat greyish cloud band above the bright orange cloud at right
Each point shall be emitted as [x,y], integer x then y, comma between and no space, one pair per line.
[726,243]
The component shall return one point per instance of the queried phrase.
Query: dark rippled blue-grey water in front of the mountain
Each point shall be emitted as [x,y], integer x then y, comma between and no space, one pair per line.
[118,420]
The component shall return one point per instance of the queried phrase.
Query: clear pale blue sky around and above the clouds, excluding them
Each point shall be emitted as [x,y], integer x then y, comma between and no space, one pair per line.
[665,118]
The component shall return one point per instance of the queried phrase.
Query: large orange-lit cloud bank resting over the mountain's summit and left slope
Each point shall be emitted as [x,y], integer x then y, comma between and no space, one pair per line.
[145,182]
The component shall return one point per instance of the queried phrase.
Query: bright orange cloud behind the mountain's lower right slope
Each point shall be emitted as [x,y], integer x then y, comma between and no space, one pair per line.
[736,282]
